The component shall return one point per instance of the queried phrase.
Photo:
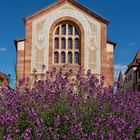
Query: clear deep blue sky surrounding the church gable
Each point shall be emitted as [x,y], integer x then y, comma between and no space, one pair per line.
[124,27]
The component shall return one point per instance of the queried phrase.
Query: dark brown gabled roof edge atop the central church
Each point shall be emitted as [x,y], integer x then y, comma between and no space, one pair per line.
[73,2]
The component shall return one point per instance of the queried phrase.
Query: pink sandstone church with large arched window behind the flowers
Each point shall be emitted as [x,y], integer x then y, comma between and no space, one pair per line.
[66,33]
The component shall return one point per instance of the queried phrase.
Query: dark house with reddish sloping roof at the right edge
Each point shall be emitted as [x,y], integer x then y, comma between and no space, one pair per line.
[132,75]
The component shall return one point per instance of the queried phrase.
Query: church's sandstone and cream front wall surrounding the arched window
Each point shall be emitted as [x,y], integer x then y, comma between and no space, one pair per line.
[38,43]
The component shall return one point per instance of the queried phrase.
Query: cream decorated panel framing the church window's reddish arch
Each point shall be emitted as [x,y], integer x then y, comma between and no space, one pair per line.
[40,37]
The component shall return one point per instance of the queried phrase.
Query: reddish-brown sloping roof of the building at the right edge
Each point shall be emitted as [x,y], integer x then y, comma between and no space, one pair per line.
[135,62]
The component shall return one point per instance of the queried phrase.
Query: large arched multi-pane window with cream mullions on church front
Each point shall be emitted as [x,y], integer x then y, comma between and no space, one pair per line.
[67,43]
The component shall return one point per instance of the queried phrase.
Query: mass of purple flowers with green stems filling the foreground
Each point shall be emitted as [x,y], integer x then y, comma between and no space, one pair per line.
[66,108]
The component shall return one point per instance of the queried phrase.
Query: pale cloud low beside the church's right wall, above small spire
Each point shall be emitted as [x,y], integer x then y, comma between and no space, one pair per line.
[117,69]
